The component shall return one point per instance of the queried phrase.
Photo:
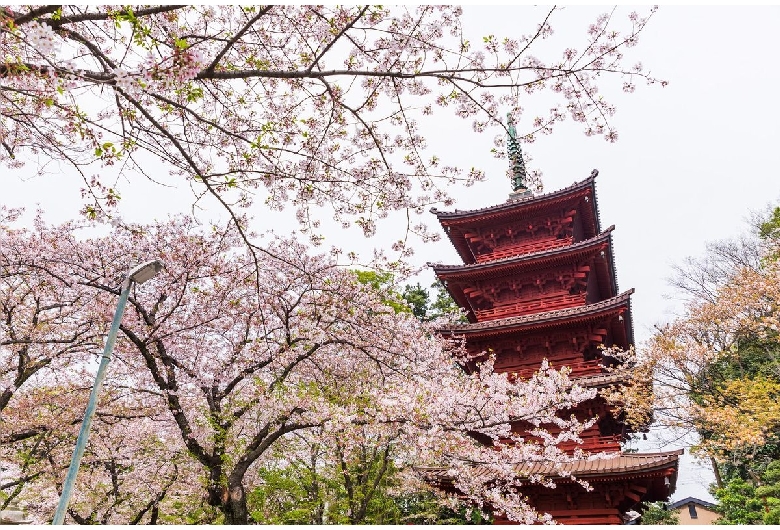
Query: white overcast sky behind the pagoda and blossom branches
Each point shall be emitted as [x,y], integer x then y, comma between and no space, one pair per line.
[693,159]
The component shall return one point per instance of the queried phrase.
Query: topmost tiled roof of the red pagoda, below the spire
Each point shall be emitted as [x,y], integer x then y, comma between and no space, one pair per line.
[512,206]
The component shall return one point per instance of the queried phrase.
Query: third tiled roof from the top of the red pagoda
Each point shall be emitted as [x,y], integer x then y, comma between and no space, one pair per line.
[546,319]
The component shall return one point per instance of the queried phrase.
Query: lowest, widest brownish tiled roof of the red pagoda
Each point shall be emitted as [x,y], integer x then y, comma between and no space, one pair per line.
[589,469]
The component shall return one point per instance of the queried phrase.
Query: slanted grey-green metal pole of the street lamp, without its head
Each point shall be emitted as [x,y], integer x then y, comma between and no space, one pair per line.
[81,443]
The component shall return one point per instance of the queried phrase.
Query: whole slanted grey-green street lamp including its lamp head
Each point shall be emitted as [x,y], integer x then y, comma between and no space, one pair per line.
[139,275]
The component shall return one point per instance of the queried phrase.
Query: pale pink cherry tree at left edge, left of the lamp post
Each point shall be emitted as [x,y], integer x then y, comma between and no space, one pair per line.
[46,321]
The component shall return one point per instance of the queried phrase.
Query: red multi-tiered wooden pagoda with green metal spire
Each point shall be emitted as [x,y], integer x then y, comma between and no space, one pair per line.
[538,282]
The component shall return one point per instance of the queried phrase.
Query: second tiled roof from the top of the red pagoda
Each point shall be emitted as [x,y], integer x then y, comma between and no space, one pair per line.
[542,257]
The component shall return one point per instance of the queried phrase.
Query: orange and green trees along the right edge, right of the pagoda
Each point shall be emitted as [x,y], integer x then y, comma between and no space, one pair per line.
[717,369]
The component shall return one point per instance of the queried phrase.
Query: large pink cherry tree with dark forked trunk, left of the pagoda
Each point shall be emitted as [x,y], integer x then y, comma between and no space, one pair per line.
[219,369]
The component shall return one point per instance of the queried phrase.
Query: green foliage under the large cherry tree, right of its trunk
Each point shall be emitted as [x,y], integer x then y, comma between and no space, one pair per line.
[367,489]
